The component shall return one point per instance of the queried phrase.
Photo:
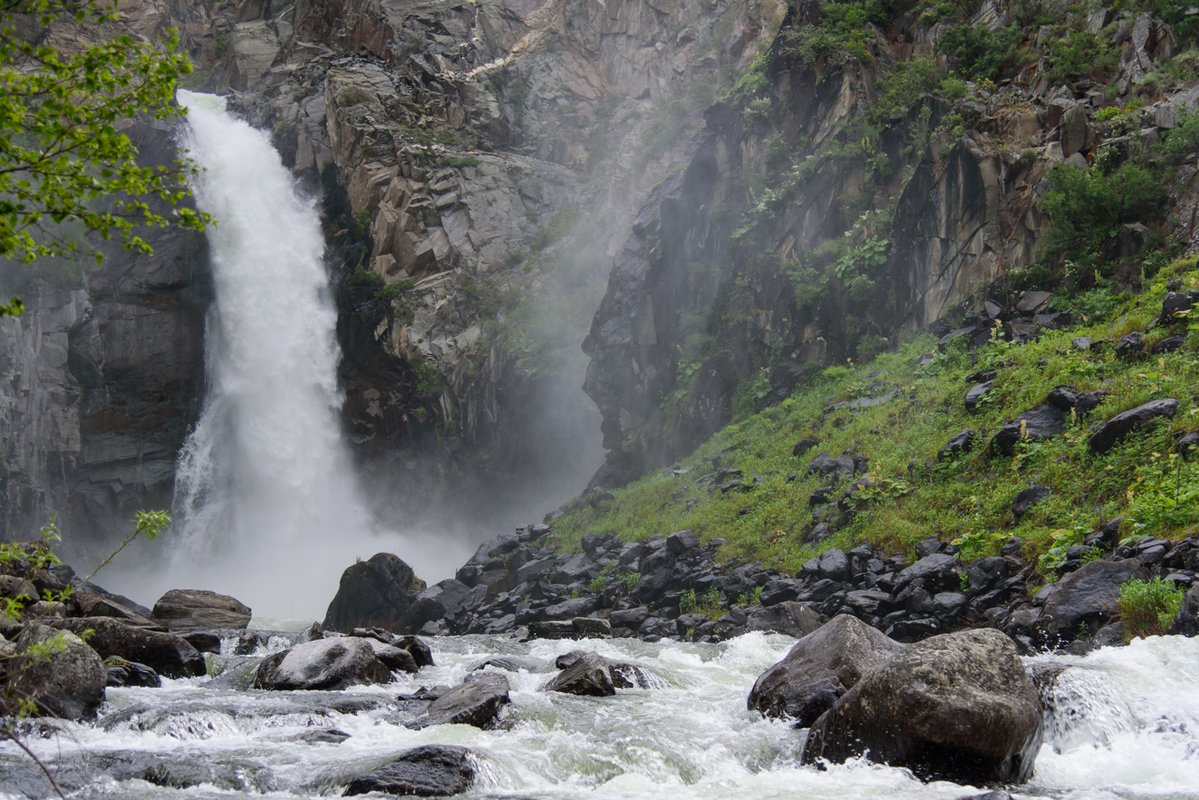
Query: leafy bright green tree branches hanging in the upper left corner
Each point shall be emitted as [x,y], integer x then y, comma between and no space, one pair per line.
[68,171]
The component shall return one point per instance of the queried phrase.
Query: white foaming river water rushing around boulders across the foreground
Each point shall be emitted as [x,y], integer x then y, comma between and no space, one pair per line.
[1126,727]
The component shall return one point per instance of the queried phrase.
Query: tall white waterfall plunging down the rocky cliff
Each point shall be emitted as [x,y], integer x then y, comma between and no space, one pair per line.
[267,506]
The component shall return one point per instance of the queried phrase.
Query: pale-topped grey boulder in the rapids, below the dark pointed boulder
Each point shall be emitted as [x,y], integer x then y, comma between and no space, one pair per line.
[324,664]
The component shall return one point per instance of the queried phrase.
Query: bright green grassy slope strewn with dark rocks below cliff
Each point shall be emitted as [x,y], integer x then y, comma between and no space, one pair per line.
[967,501]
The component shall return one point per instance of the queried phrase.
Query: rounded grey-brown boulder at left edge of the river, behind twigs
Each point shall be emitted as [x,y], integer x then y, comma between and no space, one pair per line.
[69,683]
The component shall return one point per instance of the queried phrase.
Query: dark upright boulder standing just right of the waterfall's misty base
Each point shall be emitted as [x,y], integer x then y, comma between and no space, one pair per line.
[377,593]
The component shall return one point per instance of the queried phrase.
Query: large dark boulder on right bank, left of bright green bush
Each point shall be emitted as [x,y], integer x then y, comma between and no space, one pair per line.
[1087,600]
